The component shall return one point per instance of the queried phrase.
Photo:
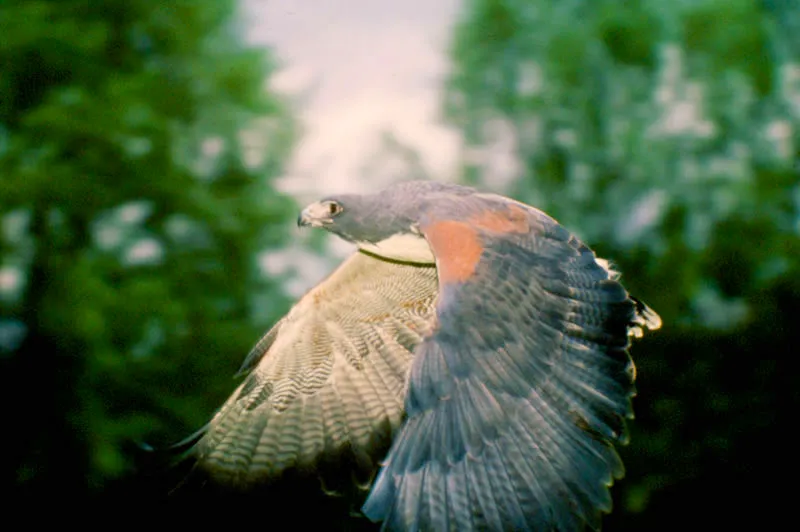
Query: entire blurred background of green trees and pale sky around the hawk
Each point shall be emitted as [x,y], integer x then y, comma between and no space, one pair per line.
[153,155]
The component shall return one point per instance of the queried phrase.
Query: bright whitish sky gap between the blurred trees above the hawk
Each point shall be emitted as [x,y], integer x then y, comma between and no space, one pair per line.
[365,66]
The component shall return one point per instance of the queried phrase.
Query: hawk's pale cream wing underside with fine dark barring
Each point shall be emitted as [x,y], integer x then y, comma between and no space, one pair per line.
[328,379]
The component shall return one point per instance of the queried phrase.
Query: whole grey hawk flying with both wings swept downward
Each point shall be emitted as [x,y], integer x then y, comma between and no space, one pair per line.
[469,361]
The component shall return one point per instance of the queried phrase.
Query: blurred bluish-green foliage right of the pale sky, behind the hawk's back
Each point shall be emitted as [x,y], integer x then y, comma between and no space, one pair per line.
[666,134]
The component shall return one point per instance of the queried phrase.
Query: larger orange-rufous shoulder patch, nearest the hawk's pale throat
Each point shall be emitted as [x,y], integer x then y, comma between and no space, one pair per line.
[457,248]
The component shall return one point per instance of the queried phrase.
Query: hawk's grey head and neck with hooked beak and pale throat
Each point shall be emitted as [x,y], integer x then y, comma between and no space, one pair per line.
[385,223]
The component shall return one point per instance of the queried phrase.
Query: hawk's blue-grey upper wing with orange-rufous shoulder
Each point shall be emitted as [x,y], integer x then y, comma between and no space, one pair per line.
[517,395]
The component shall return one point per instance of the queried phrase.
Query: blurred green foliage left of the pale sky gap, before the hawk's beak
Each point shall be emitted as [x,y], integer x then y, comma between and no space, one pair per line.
[137,147]
